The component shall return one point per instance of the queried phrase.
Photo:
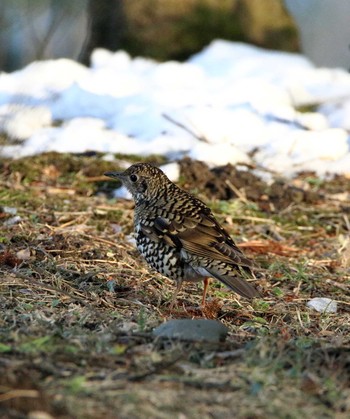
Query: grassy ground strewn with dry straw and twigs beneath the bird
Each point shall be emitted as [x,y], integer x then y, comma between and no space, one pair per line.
[79,304]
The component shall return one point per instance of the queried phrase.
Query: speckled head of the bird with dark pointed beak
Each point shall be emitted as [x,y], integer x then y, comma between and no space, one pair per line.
[143,180]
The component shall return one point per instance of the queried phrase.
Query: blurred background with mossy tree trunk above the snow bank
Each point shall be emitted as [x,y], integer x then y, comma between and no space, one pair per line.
[173,29]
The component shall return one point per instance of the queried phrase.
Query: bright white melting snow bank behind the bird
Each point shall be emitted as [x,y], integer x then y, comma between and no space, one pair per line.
[232,98]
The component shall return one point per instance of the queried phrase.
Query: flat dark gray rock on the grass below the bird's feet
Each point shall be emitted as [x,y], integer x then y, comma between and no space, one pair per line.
[198,330]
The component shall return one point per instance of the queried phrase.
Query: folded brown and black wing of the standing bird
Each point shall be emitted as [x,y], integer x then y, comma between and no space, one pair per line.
[200,235]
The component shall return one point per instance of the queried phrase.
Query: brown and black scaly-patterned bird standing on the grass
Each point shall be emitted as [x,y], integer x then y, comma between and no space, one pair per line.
[178,235]
